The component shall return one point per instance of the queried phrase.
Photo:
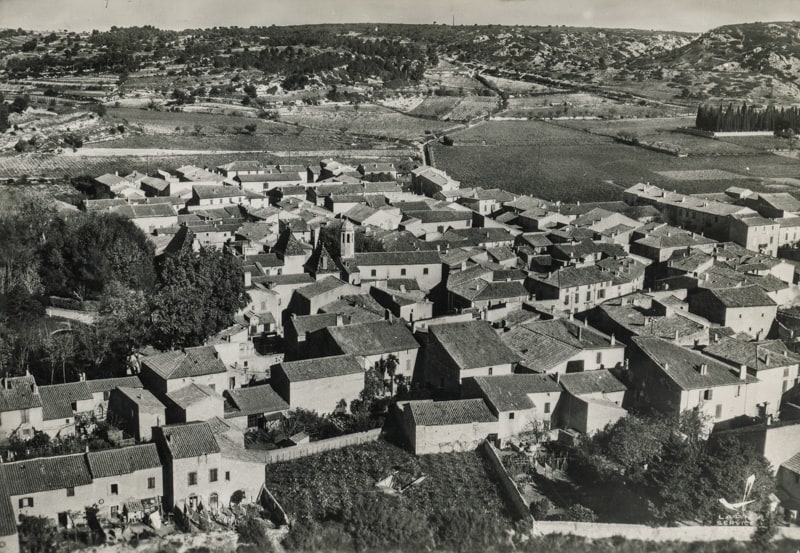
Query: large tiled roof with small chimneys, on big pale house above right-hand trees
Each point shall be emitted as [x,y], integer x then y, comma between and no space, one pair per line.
[683,365]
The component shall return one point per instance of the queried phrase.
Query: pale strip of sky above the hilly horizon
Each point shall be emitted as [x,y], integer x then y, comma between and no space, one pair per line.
[673,15]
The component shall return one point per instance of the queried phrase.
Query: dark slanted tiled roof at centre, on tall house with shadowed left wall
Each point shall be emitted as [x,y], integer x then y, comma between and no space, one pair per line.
[473,344]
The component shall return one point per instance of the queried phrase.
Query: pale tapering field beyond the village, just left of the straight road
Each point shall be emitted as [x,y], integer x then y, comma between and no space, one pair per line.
[369,120]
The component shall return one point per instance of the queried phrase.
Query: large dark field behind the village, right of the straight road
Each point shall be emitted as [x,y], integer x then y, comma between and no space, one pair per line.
[555,162]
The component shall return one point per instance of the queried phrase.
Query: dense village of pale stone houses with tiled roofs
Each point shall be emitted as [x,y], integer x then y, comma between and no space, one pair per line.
[484,319]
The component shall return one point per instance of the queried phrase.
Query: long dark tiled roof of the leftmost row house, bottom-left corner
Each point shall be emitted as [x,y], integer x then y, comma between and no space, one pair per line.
[46,474]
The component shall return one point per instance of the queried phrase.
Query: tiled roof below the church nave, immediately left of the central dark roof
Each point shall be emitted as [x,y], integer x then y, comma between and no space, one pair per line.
[373,338]
